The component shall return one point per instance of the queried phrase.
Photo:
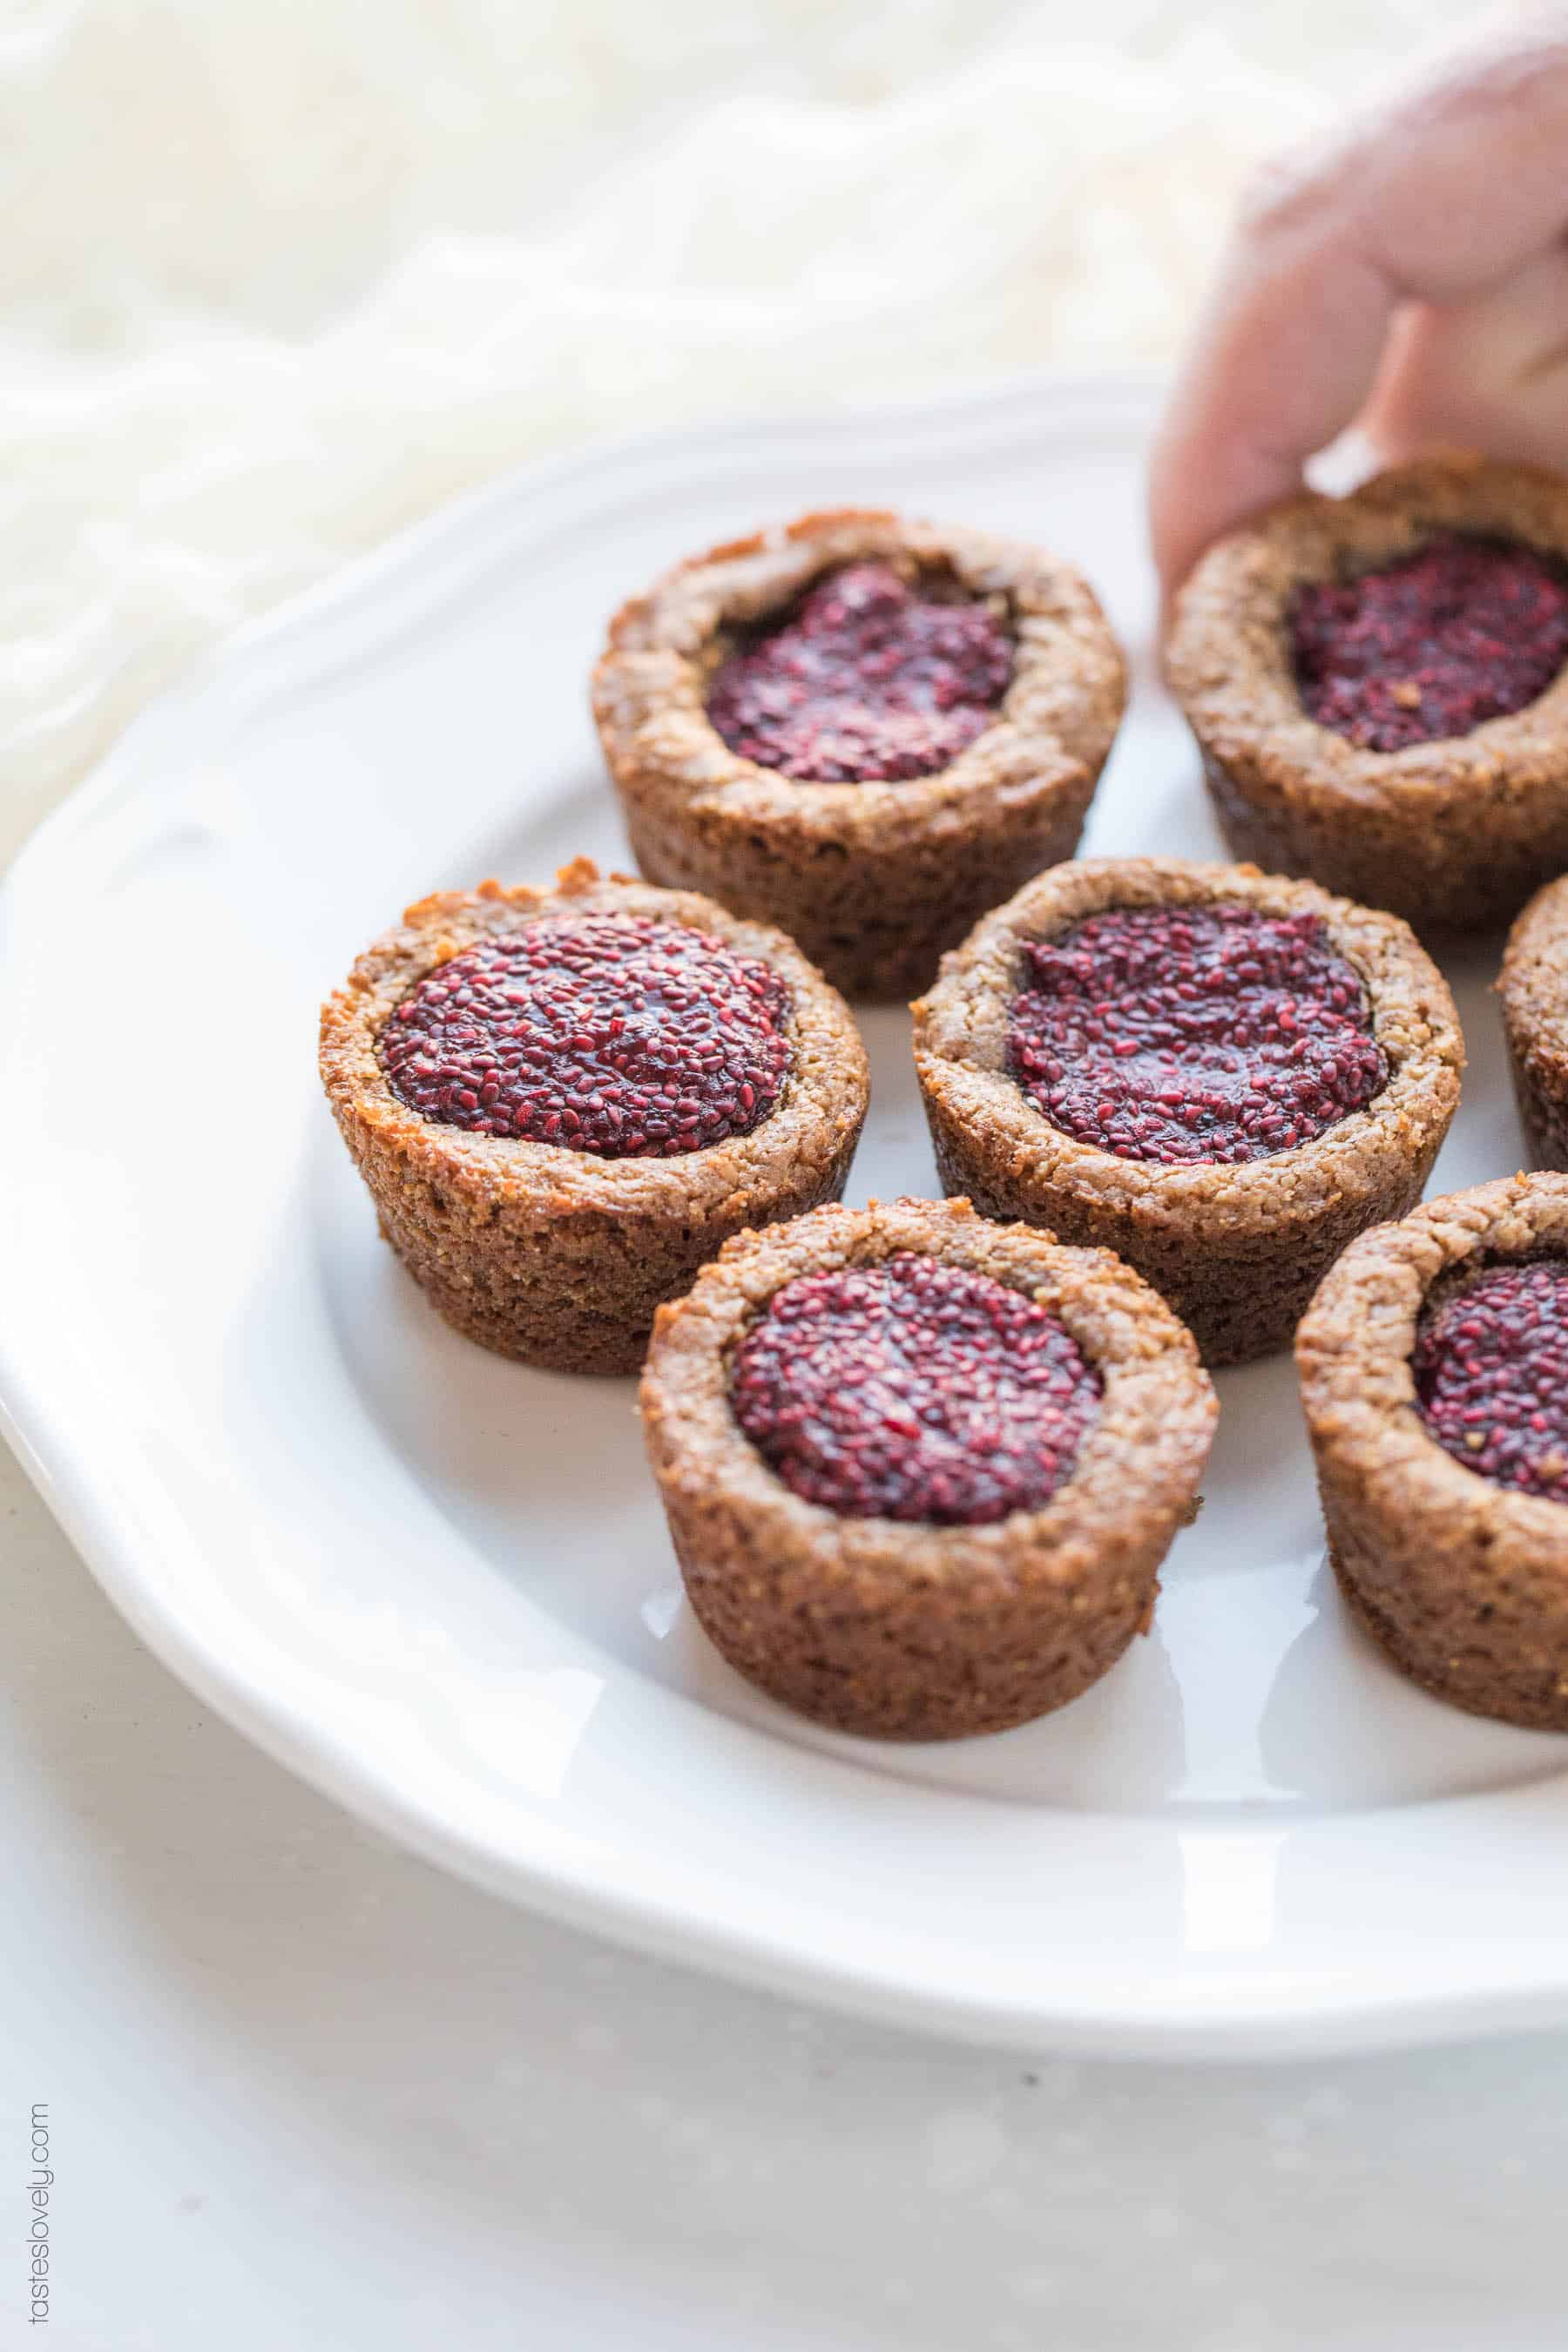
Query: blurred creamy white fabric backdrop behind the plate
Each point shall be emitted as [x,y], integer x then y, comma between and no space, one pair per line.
[281,274]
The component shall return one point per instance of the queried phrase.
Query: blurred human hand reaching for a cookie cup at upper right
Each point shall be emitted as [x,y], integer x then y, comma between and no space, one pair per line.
[1409,276]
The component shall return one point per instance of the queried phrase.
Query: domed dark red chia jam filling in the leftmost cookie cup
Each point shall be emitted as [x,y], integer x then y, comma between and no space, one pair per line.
[605,1034]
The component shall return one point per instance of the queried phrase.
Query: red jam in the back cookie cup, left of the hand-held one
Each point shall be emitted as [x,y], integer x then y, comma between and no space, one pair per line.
[864,681]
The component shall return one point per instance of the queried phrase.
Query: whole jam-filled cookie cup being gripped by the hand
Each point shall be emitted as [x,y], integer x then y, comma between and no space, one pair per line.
[1449,831]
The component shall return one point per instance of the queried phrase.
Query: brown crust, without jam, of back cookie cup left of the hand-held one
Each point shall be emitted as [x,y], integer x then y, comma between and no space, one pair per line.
[871,878]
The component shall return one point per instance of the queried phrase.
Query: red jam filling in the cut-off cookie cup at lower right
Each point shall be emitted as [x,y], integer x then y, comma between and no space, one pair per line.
[1492,1377]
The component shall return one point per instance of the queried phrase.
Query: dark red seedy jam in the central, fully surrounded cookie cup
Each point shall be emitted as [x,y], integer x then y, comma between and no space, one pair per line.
[1186,1034]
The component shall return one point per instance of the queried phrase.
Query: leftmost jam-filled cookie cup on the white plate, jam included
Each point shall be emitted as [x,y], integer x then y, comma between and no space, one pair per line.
[549,1252]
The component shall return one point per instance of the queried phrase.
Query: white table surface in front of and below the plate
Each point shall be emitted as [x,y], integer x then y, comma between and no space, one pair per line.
[309,2094]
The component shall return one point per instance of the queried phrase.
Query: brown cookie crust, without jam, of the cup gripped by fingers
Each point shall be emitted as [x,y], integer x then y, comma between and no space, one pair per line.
[1456,834]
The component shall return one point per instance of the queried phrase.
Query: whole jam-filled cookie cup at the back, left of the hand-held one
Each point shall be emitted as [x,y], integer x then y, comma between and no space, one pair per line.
[873,876]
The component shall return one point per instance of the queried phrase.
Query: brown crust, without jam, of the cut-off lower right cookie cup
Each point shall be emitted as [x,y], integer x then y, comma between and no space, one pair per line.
[1463,1584]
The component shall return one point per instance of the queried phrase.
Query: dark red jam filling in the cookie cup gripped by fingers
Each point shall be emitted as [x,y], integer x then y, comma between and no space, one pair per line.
[1428,648]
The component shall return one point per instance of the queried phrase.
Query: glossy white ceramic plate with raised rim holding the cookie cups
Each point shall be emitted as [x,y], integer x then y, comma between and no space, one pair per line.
[441,1586]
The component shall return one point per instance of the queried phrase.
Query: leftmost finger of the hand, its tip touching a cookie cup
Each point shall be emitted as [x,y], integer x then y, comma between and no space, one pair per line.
[1433,199]
